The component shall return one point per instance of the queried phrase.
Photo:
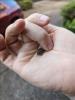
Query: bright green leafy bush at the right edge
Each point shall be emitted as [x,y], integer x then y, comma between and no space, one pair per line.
[68,13]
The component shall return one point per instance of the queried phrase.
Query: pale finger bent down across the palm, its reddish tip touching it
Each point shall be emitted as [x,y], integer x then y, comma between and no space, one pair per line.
[39,35]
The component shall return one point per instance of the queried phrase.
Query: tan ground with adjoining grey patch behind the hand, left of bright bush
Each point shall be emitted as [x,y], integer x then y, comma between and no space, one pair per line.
[49,8]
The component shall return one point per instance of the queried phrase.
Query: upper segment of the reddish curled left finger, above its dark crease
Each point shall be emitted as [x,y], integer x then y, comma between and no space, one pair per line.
[13,30]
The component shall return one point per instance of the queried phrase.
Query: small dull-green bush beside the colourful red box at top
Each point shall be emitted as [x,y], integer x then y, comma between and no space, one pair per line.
[25,4]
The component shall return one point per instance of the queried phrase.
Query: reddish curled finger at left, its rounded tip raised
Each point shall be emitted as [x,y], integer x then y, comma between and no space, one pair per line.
[12,33]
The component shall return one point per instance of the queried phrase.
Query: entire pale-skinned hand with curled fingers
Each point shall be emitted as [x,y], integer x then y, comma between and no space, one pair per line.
[55,69]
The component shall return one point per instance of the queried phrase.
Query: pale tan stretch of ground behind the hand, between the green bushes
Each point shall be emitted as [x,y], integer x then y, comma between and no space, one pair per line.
[45,7]
